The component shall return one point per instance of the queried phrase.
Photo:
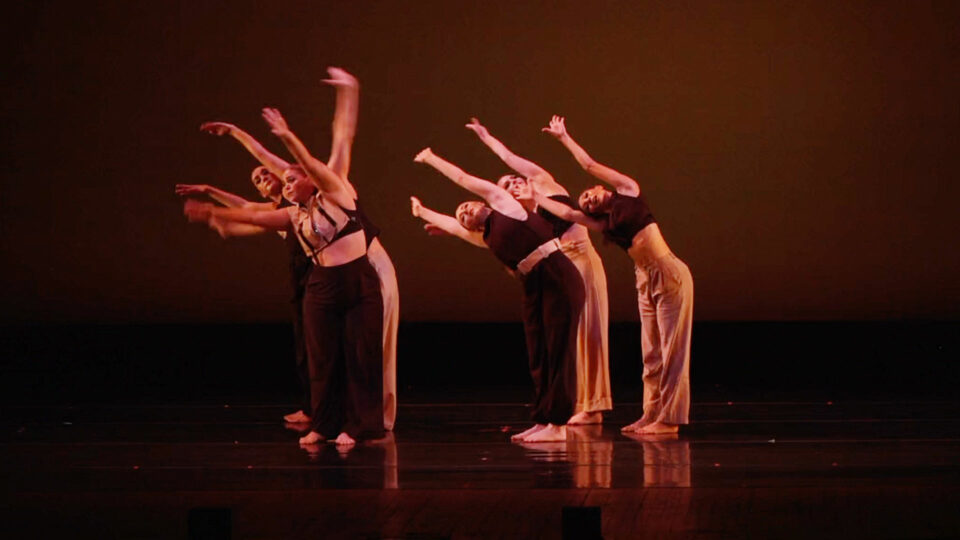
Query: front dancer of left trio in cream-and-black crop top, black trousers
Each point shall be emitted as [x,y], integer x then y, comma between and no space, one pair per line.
[343,309]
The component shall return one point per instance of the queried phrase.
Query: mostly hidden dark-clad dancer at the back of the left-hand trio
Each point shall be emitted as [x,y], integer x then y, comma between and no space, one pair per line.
[270,188]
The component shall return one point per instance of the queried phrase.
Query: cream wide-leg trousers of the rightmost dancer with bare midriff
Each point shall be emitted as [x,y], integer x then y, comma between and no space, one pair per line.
[665,295]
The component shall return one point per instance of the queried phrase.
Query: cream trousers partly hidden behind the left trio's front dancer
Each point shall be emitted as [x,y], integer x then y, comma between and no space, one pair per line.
[391,318]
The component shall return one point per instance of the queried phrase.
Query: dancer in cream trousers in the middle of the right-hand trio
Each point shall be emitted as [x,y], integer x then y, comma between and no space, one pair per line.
[593,371]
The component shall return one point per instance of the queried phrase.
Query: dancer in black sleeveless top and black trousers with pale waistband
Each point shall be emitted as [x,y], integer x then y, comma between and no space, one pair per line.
[552,289]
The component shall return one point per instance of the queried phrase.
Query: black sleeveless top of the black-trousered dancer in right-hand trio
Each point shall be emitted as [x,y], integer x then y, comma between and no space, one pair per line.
[511,240]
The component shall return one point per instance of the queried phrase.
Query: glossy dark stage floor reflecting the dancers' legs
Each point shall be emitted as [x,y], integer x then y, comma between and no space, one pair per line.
[742,469]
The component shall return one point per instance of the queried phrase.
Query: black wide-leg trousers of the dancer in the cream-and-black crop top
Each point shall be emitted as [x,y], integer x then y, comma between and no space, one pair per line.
[343,330]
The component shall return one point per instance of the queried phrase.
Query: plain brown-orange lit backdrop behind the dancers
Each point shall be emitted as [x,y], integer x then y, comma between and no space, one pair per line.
[802,157]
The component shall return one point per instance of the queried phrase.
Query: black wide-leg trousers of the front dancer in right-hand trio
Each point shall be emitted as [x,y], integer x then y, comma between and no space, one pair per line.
[553,297]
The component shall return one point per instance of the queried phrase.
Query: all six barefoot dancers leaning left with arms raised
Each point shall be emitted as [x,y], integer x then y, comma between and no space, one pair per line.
[346,303]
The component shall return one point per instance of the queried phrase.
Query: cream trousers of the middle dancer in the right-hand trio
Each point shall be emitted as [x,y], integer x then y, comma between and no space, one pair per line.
[593,353]
